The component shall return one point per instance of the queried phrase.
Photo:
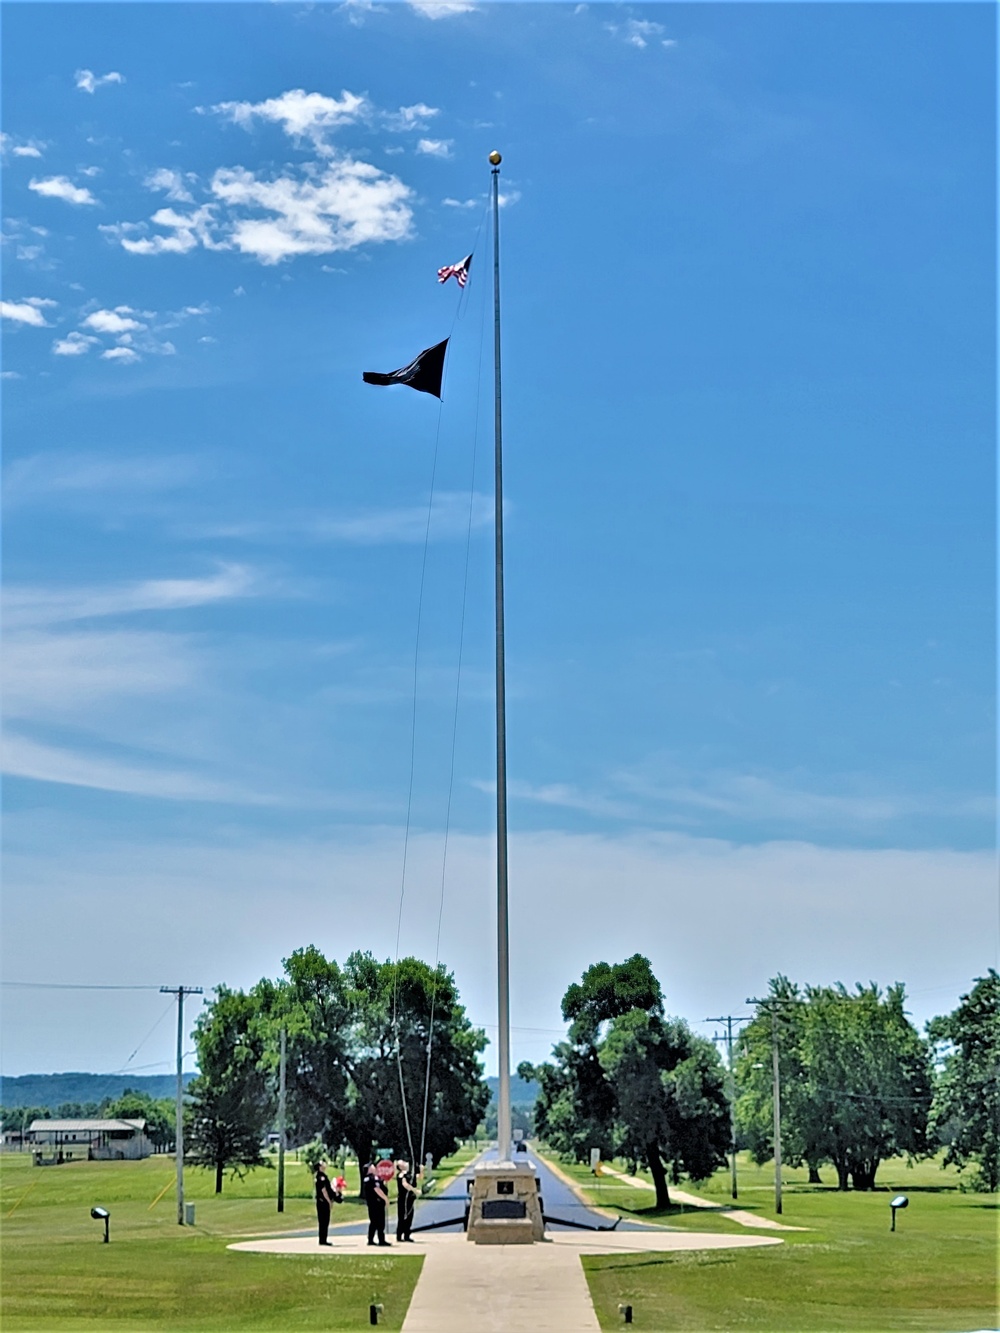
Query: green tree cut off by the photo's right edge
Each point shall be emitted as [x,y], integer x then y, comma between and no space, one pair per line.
[967,1100]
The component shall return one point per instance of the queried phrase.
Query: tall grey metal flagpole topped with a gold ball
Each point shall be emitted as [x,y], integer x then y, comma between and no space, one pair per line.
[503,960]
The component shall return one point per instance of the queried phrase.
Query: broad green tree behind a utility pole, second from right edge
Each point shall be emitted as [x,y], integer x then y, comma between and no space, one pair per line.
[857,1079]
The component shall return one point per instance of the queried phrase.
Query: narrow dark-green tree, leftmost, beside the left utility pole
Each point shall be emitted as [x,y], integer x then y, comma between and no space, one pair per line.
[231,1103]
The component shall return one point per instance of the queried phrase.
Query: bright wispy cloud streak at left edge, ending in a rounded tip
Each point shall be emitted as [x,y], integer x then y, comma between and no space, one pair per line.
[27,606]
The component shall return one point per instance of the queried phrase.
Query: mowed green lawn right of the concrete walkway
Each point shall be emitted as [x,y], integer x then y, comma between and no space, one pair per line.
[938,1272]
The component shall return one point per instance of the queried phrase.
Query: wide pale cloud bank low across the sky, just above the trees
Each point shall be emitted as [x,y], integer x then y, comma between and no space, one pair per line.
[743,915]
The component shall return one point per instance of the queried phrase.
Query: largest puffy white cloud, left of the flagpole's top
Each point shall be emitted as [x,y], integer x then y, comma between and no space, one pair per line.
[345,206]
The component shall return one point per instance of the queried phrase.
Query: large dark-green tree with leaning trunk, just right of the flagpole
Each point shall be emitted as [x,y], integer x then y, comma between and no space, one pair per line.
[633,1082]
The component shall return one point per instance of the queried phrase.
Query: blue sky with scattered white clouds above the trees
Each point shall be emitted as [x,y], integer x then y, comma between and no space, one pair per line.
[749,301]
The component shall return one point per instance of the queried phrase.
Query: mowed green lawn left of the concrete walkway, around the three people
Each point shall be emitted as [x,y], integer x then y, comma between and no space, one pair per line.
[155,1275]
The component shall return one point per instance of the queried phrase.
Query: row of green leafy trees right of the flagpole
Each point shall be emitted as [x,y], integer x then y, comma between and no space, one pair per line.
[858,1082]
